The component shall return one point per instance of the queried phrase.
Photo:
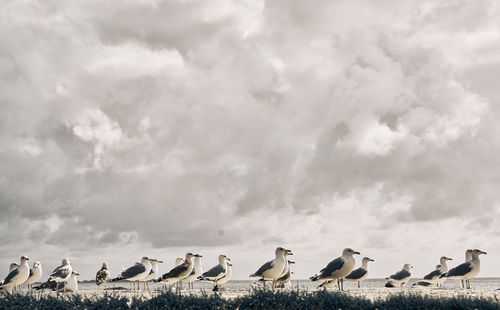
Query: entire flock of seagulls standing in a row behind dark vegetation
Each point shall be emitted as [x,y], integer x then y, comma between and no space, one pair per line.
[189,269]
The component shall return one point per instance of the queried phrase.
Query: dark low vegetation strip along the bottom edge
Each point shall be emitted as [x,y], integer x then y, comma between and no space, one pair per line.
[257,299]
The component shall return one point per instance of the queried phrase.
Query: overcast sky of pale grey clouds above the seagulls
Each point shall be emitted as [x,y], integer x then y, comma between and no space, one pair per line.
[149,127]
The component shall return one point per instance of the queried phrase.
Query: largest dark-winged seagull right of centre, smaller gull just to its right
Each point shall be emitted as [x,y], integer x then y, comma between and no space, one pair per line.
[337,269]
